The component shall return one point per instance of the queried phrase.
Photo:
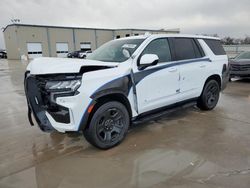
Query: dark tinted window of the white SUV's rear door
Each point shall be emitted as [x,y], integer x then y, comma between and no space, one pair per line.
[186,48]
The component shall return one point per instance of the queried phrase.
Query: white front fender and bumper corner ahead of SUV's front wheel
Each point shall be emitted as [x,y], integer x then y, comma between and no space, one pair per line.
[78,104]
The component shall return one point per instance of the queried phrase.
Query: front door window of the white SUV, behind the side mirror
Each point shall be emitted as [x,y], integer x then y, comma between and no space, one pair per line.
[159,47]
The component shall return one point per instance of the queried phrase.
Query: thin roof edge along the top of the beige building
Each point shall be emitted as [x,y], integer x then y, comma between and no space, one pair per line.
[64,27]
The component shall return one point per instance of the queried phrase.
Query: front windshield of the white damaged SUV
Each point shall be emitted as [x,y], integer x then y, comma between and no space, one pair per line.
[113,51]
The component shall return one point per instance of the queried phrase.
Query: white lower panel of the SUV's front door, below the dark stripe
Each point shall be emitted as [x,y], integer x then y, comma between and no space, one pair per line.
[158,89]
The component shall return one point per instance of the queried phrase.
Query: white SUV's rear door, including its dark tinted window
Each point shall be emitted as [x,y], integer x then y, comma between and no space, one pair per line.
[192,65]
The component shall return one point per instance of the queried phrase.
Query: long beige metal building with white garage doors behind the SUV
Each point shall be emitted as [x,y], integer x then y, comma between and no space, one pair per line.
[51,41]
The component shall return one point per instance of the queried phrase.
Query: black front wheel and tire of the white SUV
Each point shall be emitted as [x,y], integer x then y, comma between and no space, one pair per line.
[108,125]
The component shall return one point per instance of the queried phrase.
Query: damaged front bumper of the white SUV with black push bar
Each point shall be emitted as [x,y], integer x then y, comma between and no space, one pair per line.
[48,112]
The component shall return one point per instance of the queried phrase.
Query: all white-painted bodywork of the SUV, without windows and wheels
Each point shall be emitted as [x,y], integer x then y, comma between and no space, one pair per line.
[172,82]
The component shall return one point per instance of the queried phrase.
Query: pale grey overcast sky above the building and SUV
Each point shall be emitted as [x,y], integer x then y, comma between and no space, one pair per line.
[224,17]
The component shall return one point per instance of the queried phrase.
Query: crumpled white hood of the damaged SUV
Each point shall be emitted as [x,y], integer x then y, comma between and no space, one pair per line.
[48,65]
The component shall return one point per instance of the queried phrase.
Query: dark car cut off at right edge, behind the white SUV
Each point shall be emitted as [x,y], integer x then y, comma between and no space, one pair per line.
[240,66]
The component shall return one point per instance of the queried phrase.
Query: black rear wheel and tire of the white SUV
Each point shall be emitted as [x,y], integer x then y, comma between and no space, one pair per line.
[209,96]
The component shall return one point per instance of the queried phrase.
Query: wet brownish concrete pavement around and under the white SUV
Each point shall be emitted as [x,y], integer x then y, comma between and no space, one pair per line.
[188,148]
